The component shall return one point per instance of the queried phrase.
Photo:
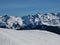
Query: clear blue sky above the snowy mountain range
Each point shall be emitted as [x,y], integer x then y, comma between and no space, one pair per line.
[26,7]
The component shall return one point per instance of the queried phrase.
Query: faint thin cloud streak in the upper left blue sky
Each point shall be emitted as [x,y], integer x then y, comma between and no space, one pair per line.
[13,6]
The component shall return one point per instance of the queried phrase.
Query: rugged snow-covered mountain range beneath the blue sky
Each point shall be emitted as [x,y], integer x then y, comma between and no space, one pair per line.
[30,21]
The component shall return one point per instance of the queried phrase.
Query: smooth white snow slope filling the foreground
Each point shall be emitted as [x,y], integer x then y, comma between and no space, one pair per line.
[28,37]
